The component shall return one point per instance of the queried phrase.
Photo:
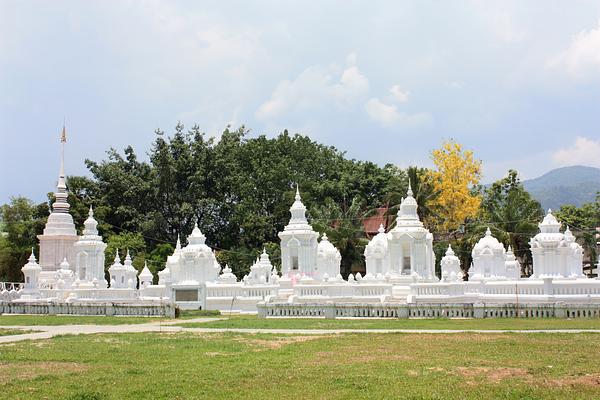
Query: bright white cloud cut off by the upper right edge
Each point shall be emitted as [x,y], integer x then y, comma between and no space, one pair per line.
[583,55]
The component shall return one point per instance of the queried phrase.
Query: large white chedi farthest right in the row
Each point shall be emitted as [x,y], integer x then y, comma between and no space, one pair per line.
[555,254]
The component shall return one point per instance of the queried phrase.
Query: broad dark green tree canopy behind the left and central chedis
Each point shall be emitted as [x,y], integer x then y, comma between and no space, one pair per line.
[238,189]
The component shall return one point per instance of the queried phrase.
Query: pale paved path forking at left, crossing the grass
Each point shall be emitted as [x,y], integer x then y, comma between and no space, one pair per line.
[47,332]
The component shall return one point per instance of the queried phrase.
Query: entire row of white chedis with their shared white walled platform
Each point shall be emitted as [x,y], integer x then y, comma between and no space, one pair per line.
[400,270]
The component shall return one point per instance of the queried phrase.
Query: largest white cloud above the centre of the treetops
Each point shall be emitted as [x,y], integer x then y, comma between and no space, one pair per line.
[315,87]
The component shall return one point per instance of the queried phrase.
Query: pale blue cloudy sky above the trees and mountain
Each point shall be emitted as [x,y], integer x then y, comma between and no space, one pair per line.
[517,82]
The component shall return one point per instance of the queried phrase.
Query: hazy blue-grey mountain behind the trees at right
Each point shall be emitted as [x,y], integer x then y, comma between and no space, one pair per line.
[569,185]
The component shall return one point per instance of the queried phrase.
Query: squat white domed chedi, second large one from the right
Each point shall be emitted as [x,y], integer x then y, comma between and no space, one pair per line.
[488,259]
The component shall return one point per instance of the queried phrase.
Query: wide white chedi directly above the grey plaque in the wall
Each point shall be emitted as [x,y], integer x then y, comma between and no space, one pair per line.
[193,264]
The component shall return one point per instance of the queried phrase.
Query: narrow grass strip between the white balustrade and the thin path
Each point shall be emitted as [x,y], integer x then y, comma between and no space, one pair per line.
[251,321]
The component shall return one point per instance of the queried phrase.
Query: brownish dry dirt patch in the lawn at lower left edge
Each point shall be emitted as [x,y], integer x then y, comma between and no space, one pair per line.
[31,370]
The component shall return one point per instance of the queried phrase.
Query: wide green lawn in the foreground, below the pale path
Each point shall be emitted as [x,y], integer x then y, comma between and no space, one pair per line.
[239,366]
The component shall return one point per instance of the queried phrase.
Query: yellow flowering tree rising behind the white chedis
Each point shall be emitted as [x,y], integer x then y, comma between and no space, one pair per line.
[454,178]
